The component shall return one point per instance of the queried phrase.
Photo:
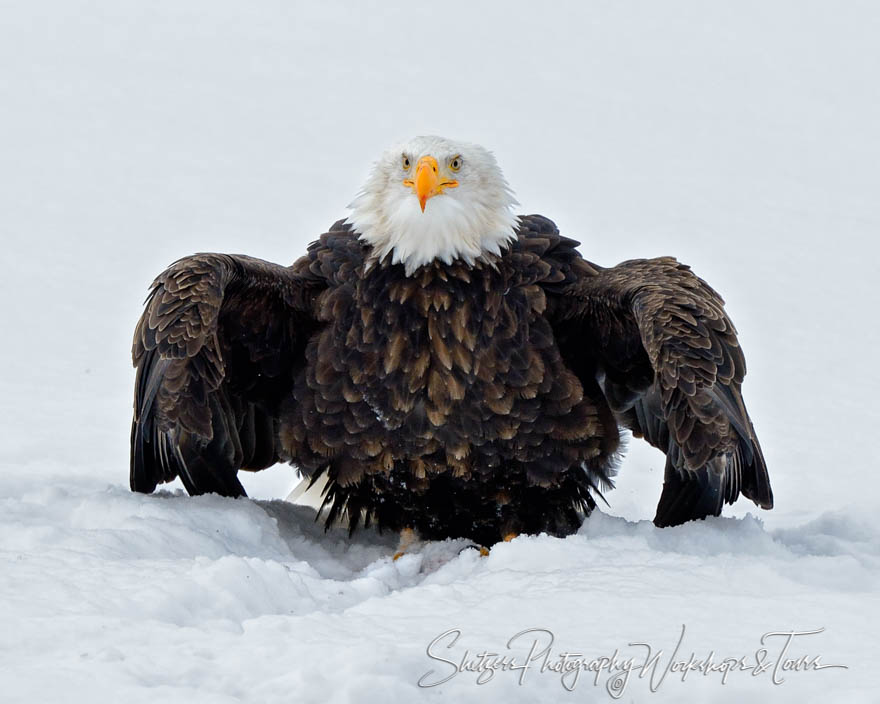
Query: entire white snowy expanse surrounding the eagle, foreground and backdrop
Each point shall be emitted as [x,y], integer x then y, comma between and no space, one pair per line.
[743,139]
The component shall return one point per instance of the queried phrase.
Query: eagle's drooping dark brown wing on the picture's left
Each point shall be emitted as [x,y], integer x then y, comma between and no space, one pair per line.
[216,350]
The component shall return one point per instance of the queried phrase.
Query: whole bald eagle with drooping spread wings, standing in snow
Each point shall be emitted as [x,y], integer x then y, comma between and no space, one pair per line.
[446,366]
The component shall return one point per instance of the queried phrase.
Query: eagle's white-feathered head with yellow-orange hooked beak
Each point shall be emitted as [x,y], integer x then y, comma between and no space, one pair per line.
[434,198]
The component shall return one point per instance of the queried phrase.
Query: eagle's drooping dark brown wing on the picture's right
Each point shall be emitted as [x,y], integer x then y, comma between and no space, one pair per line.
[667,357]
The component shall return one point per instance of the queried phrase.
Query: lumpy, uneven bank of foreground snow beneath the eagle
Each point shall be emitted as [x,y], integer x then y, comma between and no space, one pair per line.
[214,599]
